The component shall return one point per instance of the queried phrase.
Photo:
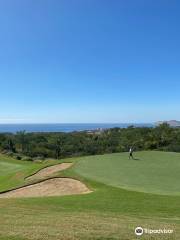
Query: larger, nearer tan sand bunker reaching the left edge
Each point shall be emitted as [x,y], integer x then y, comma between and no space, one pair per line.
[51,187]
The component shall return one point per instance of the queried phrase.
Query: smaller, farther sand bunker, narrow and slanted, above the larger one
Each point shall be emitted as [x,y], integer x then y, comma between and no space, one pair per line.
[48,171]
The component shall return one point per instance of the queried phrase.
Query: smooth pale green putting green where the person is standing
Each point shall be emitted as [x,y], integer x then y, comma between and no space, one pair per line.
[152,172]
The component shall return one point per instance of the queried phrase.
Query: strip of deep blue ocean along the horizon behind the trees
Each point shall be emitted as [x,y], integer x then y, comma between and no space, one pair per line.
[65,127]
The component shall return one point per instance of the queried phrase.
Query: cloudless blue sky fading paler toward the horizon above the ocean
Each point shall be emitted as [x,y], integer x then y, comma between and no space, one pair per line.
[89,60]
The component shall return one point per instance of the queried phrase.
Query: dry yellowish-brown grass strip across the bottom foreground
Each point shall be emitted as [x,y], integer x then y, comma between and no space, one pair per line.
[45,225]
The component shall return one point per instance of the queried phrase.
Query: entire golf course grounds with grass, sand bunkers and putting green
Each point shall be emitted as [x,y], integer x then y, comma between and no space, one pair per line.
[101,197]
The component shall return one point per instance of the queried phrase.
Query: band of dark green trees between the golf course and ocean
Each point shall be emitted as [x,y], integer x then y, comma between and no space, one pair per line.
[29,146]
